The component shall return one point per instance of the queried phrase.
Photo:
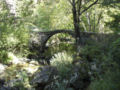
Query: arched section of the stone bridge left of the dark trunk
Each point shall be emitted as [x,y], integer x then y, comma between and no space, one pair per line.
[38,40]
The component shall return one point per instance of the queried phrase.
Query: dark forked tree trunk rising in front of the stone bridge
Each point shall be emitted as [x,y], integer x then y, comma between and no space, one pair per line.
[76,11]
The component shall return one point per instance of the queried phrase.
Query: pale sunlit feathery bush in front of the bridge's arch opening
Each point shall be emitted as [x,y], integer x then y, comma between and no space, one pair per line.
[63,62]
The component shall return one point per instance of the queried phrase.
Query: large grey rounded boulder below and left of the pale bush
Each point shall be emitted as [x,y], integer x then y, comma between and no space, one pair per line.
[44,76]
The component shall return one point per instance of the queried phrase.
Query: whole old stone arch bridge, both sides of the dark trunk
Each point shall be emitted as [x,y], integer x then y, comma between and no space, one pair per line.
[38,40]
